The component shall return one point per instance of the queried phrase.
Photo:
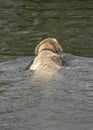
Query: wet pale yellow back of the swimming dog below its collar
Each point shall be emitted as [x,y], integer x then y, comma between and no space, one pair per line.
[46,60]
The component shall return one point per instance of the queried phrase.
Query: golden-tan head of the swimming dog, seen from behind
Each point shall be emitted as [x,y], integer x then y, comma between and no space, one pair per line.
[48,44]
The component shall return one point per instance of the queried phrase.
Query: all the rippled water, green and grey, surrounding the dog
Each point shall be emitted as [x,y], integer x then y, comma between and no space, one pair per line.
[64,103]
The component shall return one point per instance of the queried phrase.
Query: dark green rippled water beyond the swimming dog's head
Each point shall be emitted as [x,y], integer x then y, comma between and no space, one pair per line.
[24,23]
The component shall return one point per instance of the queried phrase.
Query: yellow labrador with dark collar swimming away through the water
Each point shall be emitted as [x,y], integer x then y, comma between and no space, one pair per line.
[47,58]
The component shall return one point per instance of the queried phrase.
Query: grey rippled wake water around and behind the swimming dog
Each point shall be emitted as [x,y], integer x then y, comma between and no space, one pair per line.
[40,104]
